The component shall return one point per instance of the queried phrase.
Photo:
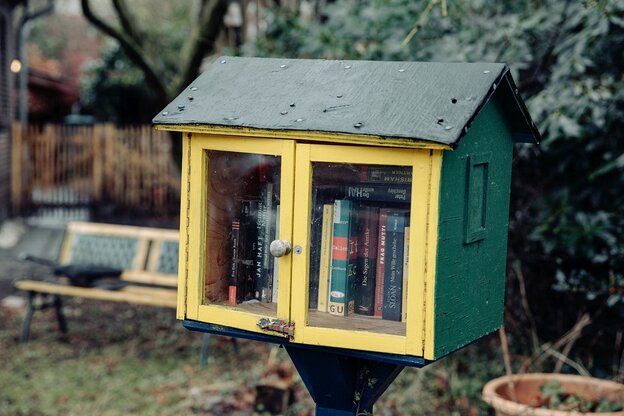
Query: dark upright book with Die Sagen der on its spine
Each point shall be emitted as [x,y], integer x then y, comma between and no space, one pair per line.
[367,260]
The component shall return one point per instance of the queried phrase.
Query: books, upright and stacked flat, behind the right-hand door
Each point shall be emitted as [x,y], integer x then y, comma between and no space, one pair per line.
[362,253]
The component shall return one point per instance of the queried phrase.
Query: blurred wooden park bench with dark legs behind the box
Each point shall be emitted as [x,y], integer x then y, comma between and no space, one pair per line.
[147,259]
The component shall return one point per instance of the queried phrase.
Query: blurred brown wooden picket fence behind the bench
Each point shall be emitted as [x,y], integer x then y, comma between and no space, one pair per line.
[126,169]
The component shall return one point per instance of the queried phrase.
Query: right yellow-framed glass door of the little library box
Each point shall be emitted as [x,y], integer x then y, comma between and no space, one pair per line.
[355,272]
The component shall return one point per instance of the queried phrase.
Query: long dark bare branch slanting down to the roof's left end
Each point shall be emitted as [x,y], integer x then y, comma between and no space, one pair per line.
[131,49]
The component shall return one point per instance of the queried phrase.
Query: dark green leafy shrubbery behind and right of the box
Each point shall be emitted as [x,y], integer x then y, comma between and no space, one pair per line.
[567,57]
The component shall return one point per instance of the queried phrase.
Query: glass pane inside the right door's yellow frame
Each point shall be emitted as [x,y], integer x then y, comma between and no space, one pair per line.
[359,239]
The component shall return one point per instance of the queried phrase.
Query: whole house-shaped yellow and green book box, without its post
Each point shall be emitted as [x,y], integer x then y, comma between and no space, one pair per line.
[347,204]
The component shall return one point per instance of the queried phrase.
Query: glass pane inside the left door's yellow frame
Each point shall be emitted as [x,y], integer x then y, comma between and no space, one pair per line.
[242,218]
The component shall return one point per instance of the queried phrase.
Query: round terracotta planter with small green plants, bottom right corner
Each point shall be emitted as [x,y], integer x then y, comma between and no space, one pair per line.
[539,394]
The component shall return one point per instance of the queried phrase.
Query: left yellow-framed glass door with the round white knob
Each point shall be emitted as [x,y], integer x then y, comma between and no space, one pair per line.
[244,195]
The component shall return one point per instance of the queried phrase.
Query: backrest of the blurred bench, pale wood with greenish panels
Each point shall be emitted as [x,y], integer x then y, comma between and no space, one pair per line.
[139,251]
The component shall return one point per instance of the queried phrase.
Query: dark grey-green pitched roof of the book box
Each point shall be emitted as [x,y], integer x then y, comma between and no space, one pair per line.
[429,101]
